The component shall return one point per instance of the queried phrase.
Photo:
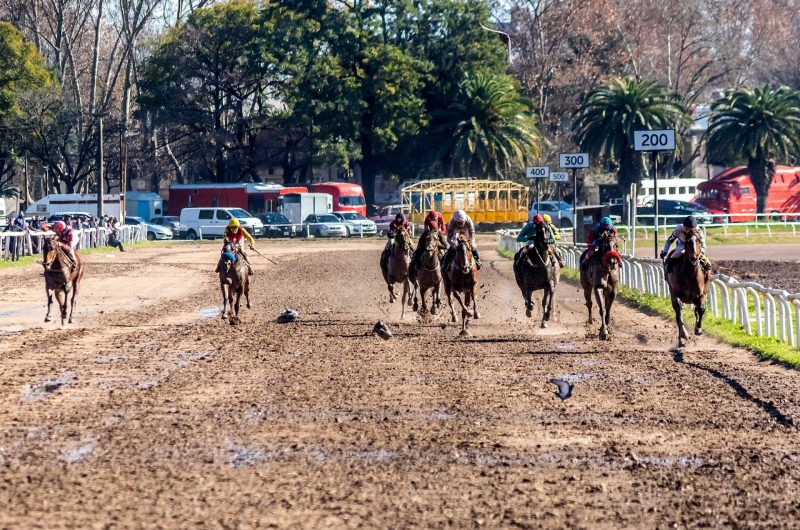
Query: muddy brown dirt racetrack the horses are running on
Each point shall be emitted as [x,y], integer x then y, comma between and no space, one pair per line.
[153,413]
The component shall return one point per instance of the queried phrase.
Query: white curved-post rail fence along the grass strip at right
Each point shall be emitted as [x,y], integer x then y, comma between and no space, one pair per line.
[759,310]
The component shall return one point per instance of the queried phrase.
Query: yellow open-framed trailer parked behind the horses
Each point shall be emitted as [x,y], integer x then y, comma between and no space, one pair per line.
[485,201]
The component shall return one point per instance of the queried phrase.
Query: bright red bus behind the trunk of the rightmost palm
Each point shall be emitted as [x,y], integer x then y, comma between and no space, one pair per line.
[733,192]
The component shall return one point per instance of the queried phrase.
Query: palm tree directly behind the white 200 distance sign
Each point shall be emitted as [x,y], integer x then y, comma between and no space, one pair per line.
[605,122]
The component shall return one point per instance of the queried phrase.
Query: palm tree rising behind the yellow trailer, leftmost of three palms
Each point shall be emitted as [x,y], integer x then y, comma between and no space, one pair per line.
[489,129]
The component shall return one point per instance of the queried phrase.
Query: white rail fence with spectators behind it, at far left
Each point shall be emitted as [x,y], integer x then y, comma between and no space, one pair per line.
[17,244]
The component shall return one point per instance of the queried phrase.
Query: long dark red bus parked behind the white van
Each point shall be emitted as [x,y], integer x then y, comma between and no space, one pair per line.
[254,197]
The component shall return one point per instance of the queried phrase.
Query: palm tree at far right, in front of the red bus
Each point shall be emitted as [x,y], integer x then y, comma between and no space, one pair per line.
[754,126]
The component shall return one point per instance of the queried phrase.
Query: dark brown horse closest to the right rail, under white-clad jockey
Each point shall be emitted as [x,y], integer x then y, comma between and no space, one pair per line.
[688,284]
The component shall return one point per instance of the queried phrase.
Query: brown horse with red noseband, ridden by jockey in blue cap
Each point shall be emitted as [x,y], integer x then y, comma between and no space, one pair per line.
[601,276]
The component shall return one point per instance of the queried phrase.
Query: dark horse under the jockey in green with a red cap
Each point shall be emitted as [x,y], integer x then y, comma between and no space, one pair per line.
[535,269]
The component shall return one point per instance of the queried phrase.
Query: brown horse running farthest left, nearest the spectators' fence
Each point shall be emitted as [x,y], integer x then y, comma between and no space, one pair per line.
[59,279]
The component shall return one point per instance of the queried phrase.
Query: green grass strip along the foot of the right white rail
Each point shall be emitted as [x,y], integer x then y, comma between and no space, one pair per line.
[768,348]
